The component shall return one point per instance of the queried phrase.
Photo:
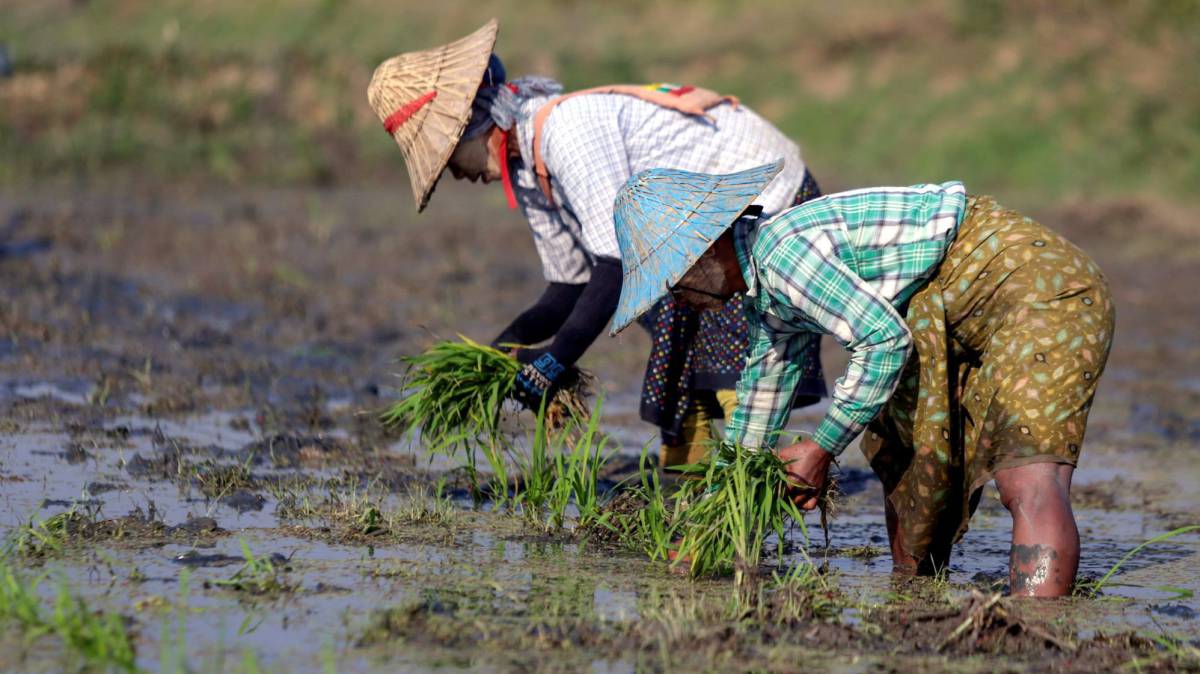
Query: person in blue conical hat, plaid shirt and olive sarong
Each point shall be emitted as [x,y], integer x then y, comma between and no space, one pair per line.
[977,338]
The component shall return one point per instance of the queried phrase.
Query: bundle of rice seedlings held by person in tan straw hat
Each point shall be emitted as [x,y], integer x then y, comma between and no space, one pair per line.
[455,393]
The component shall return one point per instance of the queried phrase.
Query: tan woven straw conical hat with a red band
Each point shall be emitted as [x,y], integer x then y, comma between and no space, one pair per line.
[424,100]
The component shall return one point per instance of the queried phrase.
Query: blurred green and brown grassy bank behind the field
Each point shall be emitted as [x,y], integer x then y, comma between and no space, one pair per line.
[1036,99]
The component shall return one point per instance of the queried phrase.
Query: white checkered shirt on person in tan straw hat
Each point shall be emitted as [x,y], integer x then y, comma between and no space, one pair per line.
[592,145]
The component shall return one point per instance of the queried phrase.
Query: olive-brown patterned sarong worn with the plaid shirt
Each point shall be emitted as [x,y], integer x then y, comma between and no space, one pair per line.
[1011,339]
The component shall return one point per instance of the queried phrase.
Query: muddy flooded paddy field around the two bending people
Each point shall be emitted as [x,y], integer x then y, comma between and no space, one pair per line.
[189,393]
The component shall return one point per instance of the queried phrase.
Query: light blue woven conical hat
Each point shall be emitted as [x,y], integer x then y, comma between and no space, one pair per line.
[667,220]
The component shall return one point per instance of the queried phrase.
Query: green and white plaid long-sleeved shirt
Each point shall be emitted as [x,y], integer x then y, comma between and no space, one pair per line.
[837,266]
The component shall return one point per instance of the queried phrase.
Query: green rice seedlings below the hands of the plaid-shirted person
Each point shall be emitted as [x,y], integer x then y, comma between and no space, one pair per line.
[740,498]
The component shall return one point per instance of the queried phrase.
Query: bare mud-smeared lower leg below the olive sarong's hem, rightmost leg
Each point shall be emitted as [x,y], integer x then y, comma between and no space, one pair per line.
[1046,541]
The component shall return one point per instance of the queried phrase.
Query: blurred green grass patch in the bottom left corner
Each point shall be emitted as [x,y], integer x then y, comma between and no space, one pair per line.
[99,639]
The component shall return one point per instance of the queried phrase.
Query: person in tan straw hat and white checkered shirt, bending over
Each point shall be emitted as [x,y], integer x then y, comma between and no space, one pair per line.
[561,160]
